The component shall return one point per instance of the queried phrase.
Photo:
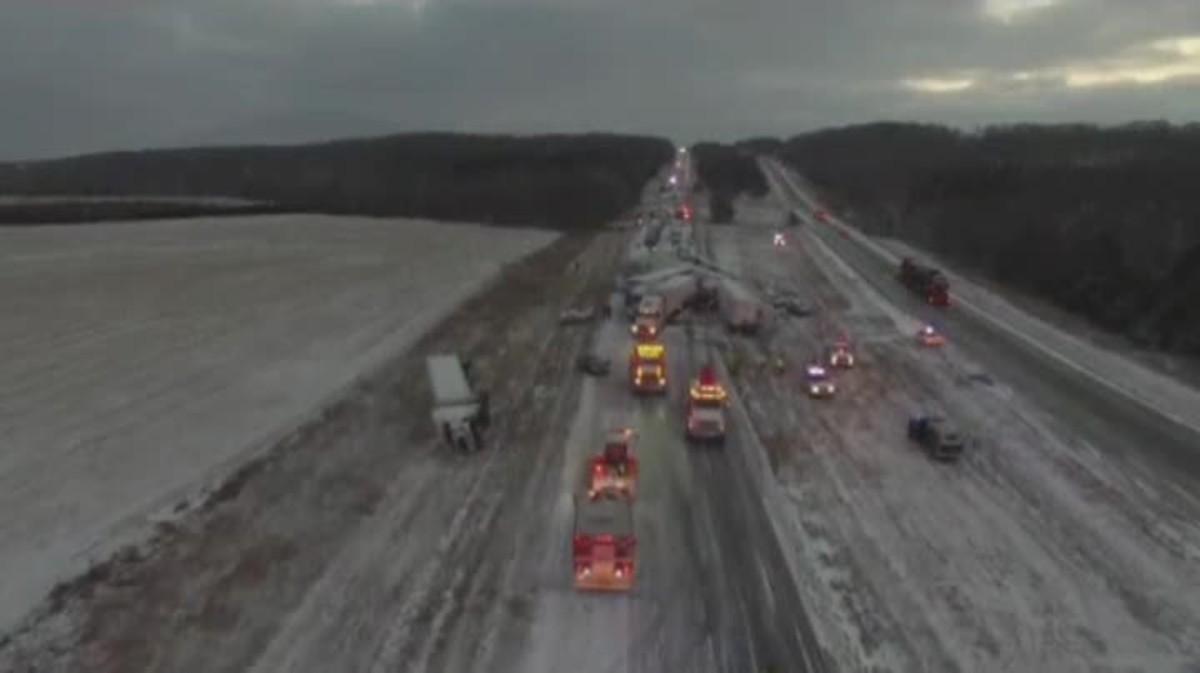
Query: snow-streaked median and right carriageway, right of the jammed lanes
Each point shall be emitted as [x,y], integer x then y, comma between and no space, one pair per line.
[1065,540]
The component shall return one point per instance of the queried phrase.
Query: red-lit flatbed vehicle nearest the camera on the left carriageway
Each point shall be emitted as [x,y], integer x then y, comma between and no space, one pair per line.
[604,548]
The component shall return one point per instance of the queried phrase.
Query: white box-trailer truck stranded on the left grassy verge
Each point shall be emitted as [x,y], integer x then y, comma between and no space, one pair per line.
[459,413]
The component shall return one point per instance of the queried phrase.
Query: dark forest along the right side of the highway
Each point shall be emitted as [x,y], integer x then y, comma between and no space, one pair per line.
[1102,221]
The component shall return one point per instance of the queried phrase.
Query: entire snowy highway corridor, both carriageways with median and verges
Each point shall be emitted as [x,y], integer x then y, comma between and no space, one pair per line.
[818,539]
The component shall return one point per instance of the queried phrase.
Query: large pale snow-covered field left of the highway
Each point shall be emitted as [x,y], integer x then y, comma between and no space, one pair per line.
[142,362]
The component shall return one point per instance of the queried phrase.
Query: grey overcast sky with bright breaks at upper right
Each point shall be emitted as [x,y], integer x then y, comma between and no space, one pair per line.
[95,75]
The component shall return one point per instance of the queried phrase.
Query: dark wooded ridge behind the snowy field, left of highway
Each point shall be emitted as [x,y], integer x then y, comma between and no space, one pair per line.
[556,182]
